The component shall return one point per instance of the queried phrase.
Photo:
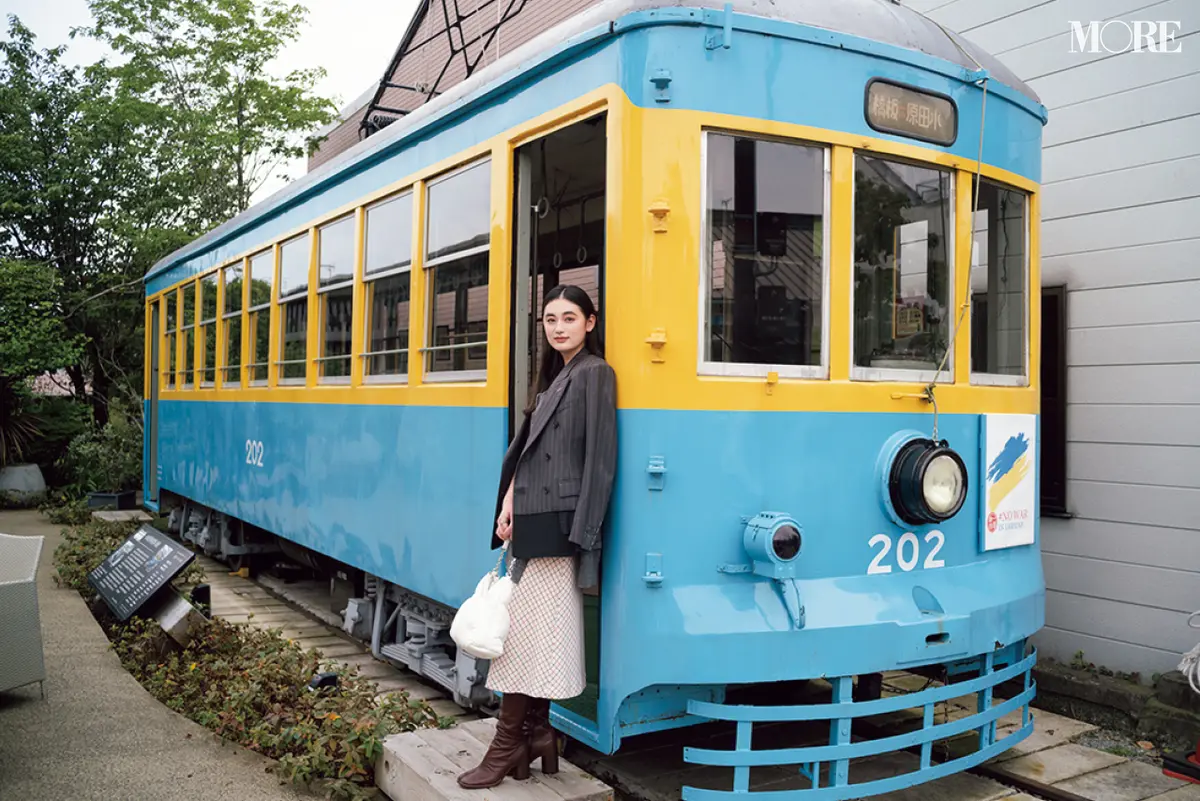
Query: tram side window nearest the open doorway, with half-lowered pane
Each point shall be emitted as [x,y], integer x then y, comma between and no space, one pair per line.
[458,264]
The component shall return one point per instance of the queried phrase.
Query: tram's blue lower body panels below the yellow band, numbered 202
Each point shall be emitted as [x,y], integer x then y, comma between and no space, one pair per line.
[394,490]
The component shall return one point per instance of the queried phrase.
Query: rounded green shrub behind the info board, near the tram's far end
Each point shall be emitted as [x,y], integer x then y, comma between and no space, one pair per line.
[105,460]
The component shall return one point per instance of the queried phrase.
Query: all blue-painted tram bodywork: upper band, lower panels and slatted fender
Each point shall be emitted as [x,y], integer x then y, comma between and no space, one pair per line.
[407,493]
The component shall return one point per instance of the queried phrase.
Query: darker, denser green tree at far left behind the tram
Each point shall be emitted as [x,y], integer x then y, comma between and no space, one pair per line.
[91,185]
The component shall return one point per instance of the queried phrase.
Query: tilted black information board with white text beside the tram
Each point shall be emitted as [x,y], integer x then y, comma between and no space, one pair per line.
[142,567]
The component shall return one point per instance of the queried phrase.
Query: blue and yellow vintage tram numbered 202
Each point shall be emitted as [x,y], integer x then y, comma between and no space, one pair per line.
[812,232]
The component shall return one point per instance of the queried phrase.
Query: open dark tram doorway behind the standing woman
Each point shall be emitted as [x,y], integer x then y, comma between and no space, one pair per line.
[560,239]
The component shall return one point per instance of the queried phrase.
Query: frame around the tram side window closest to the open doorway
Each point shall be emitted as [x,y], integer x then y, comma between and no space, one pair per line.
[429,351]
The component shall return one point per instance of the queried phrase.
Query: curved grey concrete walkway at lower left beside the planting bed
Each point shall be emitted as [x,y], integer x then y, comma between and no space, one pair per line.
[99,734]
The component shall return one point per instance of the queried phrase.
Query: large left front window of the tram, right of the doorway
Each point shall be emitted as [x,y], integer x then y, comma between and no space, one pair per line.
[766,257]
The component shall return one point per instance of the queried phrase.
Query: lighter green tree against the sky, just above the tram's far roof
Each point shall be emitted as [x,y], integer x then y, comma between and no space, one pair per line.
[208,61]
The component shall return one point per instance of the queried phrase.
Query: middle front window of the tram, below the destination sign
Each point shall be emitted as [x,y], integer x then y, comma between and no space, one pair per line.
[903,278]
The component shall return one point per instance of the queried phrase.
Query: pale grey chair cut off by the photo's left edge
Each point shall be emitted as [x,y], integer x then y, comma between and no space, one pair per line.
[22,661]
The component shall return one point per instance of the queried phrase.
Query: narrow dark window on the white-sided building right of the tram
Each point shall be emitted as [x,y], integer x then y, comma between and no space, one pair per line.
[1054,401]
